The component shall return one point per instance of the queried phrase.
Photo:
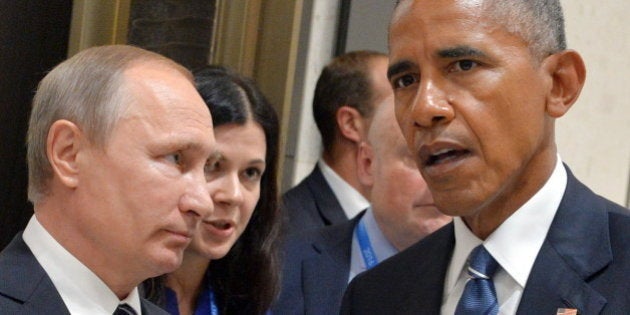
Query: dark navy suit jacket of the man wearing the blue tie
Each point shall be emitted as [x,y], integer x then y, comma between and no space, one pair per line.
[584,263]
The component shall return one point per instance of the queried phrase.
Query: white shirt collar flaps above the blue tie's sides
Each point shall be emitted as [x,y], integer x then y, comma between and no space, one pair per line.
[517,241]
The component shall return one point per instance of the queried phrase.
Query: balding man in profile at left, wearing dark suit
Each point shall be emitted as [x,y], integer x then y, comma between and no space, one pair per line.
[118,141]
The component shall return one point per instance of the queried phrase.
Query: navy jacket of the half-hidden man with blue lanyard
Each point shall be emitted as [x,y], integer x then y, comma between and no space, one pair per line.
[316,269]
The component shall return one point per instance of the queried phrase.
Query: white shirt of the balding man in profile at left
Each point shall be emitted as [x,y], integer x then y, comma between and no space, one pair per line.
[82,291]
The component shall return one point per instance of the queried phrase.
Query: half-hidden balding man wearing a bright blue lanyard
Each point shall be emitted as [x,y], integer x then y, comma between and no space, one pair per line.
[320,263]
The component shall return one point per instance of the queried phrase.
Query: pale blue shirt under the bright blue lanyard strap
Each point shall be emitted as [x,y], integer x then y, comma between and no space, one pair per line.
[382,248]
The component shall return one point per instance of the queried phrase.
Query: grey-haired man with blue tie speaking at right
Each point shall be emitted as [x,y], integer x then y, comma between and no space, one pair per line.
[478,86]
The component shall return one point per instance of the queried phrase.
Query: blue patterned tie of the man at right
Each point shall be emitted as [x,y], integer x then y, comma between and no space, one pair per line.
[479,297]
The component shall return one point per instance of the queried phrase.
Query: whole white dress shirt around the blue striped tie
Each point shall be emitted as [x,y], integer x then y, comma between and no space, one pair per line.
[514,245]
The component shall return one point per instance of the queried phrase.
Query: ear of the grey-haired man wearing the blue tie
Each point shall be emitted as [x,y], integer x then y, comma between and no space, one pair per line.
[567,73]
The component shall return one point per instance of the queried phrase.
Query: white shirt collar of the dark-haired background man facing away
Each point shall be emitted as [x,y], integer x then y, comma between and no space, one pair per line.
[350,199]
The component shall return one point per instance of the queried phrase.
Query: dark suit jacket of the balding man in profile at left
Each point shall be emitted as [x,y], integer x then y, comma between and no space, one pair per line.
[25,288]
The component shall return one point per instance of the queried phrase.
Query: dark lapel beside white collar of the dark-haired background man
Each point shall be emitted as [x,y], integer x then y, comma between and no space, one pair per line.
[327,204]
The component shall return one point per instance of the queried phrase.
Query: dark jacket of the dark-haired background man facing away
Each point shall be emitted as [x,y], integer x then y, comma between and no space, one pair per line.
[312,204]
